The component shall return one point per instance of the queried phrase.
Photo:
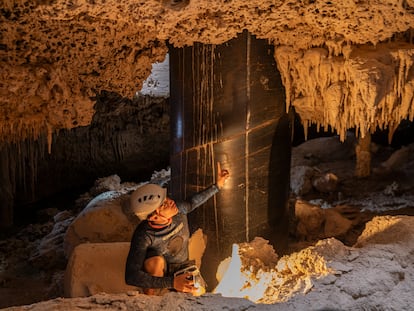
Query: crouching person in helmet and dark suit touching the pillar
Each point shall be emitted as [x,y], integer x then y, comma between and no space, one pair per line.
[159,245]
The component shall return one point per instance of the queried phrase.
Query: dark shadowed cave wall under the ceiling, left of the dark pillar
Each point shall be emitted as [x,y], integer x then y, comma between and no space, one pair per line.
[126,137]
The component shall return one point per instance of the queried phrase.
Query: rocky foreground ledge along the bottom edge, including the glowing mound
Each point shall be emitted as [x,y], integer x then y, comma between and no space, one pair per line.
[377,273]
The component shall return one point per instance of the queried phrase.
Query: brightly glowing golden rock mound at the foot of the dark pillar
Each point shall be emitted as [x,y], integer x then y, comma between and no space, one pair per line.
[253,272]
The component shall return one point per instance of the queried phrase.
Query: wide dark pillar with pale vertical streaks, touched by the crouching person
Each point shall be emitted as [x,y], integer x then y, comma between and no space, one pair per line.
[228,105]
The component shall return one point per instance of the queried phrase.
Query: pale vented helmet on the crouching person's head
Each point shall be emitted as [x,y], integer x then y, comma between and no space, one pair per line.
[146,199]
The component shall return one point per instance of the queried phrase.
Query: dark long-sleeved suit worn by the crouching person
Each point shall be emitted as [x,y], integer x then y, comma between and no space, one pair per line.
[170,242]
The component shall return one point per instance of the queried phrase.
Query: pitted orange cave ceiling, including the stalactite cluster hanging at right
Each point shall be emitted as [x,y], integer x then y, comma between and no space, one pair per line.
[343,63]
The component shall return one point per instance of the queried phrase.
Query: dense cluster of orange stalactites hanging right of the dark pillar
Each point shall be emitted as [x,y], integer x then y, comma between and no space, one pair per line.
[369,88]
